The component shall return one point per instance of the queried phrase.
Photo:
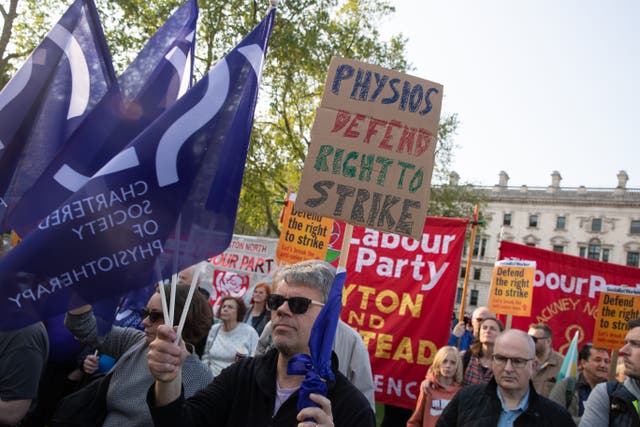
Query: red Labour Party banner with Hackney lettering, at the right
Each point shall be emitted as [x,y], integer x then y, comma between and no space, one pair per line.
[566,290]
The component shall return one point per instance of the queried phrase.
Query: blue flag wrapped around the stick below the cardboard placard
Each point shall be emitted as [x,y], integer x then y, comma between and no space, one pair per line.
[317,367]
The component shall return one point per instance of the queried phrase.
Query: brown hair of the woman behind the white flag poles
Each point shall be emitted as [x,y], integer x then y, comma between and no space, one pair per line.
[199,318]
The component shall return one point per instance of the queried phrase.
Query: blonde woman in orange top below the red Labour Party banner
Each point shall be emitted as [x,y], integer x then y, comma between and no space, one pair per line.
[443,380]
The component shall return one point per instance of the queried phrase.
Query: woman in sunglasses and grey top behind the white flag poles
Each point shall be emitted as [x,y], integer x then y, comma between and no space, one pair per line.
[131,379]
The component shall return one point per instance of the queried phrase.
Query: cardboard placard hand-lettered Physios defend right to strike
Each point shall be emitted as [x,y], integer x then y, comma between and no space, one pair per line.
[372,148]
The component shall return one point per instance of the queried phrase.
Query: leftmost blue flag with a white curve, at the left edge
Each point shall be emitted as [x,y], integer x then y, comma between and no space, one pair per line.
[59,84]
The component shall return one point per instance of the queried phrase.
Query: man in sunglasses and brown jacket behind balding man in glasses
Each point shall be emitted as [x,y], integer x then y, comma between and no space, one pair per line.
[549,360]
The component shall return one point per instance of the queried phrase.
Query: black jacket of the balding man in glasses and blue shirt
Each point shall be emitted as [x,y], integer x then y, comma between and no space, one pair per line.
[479,406]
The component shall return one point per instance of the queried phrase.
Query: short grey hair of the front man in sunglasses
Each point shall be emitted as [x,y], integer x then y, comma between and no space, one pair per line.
[314,274]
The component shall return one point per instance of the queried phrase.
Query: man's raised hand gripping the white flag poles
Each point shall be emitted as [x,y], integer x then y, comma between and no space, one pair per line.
[165,357]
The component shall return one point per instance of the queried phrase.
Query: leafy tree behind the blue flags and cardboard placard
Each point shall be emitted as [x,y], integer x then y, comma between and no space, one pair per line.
[306,34]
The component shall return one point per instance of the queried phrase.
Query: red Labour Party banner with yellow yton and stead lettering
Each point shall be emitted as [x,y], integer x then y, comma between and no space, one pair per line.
[399,295]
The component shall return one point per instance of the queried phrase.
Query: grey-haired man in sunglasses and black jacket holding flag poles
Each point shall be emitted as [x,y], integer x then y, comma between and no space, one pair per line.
[259,391]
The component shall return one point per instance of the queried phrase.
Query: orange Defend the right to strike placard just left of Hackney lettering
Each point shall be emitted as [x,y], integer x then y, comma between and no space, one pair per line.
[512,287]
